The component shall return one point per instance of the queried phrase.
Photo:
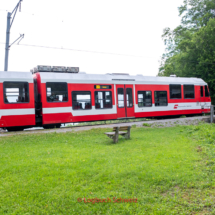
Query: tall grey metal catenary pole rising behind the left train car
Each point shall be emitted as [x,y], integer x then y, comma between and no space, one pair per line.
[9,24]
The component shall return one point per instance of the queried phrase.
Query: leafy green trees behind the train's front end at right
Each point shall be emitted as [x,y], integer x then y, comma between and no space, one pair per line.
[190,47]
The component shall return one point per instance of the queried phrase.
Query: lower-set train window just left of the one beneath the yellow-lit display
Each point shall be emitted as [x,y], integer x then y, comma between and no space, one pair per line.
[81,100]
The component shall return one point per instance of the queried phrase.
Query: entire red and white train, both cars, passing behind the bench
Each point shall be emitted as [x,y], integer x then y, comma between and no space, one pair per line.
[51,96]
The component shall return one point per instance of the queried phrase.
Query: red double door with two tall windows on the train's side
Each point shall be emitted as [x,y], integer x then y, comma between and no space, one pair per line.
[125,104]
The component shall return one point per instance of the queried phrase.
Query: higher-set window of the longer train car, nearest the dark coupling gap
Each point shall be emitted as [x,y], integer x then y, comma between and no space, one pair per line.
[56,92]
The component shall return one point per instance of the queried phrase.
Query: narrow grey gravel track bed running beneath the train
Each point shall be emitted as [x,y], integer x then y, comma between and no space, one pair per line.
[153,123]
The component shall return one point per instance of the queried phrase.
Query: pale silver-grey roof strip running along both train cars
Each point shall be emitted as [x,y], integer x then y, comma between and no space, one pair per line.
[98,78]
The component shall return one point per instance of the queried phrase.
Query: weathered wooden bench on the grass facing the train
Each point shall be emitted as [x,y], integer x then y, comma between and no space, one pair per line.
[123,131]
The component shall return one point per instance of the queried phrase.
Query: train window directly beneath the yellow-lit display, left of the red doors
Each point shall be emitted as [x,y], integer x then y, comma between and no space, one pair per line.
[103,99]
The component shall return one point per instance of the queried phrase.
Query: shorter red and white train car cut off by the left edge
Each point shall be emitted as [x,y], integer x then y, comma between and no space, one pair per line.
[17,106]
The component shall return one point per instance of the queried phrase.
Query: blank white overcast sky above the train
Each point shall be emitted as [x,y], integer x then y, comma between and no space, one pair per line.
[98,36]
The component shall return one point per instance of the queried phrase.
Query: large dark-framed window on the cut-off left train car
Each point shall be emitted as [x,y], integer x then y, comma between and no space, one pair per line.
[16,92]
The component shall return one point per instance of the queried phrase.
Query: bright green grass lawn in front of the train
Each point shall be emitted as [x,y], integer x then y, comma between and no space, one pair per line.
[168,171]
